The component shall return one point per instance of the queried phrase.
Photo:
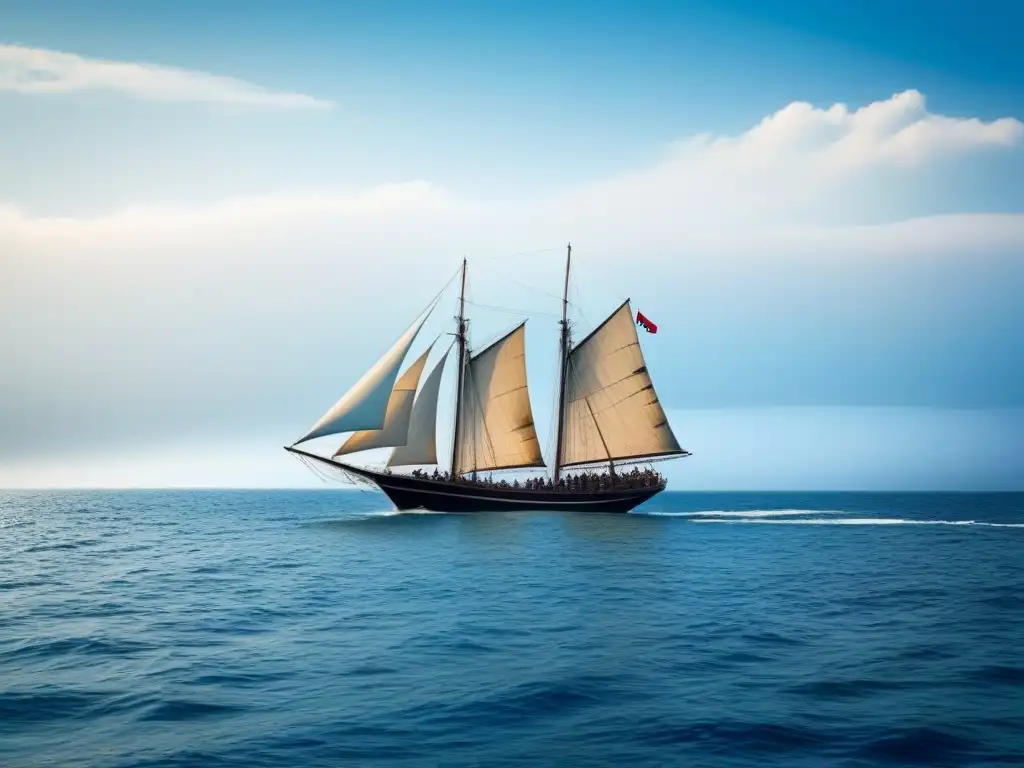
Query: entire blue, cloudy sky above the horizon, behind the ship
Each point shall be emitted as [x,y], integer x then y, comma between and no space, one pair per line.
[216,218]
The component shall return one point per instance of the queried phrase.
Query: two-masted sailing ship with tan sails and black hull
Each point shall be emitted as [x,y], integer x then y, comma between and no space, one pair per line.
[609,416]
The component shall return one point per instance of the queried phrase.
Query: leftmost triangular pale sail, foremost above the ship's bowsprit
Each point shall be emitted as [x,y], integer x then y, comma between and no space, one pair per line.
[365,406]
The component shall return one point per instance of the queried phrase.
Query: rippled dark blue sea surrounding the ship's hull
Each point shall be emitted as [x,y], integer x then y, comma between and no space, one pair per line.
[317,629]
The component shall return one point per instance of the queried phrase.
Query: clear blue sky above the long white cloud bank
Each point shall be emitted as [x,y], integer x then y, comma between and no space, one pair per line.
[537,97]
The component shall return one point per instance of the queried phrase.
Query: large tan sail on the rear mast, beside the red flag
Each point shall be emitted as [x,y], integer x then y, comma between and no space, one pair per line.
[612,409]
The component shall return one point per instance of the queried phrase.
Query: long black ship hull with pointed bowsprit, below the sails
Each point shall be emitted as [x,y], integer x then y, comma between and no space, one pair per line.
[410,493]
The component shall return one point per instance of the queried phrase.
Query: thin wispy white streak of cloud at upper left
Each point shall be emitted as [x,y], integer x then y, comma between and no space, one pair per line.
[26,70]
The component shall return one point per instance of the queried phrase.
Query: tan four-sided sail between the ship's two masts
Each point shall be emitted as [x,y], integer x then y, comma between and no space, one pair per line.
[496,419]
